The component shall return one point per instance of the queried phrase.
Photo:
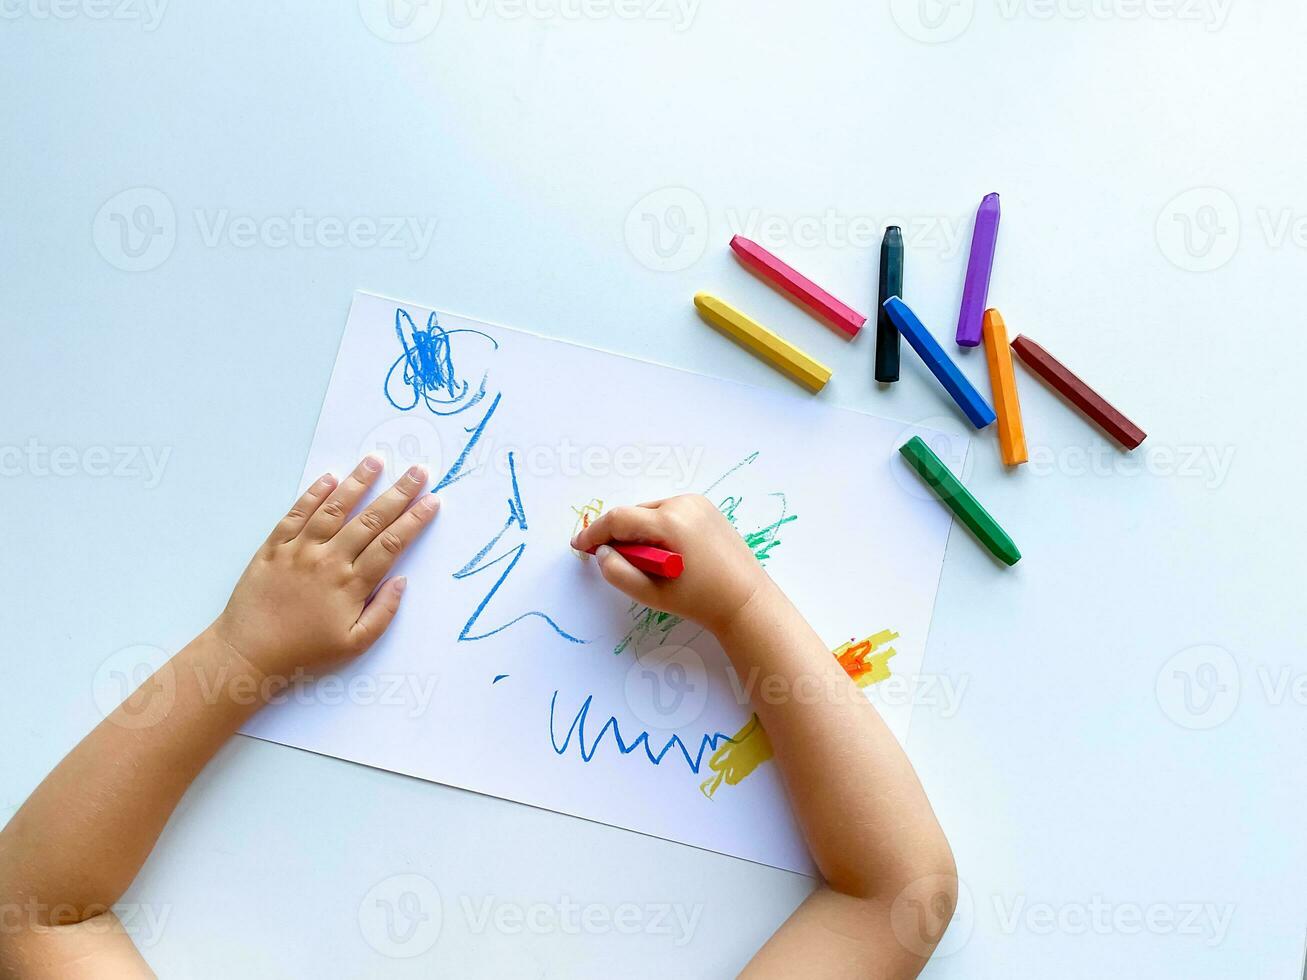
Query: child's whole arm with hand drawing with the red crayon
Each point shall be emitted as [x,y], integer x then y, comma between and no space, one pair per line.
[891,880]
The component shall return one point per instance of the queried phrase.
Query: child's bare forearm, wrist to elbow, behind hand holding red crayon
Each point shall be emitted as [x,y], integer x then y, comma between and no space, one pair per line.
[867,820]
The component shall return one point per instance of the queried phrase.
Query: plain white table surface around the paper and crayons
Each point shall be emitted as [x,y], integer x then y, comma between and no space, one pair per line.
[1104,825]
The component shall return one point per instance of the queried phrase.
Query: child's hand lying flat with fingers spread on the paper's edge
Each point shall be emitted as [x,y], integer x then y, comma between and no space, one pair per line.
[304,602]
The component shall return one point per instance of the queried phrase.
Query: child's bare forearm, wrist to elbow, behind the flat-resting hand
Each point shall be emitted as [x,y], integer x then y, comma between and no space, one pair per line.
[84,834]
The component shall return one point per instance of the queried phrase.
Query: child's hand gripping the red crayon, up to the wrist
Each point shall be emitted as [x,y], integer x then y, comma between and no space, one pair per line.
[721,576]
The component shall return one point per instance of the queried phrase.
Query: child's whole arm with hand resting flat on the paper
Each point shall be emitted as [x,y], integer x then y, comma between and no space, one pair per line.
[303,606]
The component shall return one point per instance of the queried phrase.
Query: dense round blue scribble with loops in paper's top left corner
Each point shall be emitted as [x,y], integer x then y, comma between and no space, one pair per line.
[428,373]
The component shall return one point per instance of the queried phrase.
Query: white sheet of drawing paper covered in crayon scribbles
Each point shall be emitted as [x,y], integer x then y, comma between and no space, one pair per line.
[506,637]
